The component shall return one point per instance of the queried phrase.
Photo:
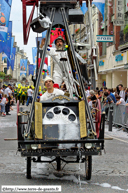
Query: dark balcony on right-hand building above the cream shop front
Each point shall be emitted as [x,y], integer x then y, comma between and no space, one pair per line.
[123,45]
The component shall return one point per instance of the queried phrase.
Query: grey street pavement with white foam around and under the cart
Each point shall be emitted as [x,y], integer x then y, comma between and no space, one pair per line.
[109,173]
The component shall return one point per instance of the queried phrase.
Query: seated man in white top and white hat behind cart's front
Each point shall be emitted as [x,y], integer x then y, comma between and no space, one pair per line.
[51,91]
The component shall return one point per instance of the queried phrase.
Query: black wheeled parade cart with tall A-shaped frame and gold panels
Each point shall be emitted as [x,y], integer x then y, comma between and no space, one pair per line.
[61,126]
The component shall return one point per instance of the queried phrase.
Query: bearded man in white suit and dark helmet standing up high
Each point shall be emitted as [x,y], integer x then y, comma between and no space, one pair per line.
[60,70]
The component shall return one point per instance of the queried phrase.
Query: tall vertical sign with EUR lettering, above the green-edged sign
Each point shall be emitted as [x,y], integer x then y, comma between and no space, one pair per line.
[119,21]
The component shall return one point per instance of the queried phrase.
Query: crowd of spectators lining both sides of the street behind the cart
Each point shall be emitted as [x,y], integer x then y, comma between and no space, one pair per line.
[8,97]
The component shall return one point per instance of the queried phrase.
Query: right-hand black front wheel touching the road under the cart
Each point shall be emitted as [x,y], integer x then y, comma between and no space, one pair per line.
[88,167]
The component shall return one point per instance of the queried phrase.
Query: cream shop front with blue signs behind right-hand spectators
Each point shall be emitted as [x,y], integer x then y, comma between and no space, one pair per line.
[113,69]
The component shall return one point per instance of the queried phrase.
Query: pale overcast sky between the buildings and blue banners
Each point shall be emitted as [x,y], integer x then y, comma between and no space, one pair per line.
[17,29]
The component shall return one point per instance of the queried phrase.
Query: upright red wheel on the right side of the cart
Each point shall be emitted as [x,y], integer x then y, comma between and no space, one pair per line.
[98,117]
